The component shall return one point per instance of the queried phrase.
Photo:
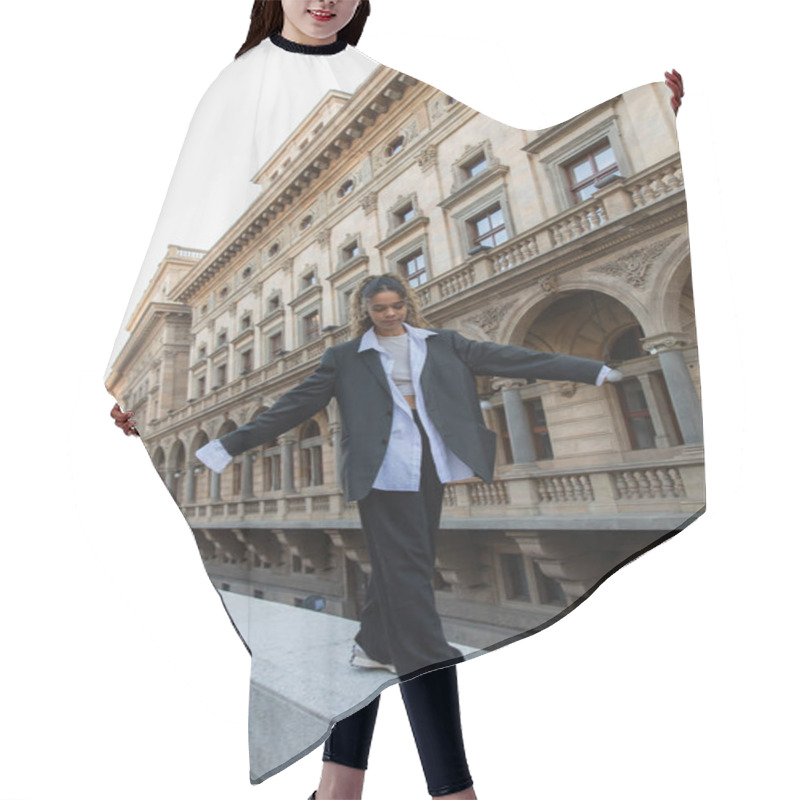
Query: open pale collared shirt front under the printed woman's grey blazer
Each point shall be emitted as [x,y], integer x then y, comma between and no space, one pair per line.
[401,467]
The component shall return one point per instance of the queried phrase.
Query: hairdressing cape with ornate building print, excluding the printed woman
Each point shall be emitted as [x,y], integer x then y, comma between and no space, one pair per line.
[305,170]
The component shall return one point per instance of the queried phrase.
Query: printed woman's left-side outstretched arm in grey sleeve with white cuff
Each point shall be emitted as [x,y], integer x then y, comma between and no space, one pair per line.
[296,406]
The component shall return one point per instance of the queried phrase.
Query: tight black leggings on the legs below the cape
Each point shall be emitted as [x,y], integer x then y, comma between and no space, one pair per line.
[431,702]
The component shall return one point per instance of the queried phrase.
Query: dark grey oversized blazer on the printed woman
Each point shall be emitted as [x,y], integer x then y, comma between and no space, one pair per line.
[359,384]
